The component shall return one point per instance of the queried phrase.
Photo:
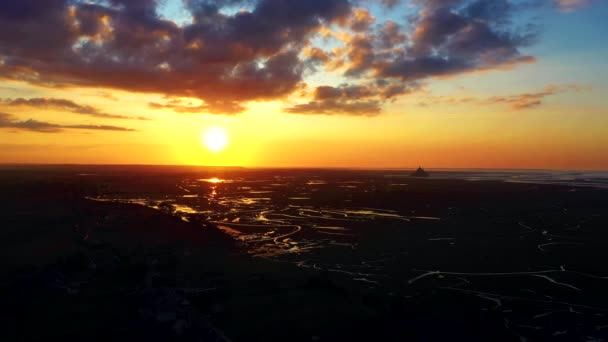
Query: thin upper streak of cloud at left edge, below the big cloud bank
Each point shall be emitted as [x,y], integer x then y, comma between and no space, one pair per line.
[64,105]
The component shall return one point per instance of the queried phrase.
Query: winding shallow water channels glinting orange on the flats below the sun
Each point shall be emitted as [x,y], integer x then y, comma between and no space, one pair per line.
[261,214]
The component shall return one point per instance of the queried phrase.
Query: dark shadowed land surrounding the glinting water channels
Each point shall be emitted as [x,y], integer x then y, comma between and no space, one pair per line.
[505,262]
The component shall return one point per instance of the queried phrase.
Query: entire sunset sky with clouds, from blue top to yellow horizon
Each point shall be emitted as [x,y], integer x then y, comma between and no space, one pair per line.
[508,84]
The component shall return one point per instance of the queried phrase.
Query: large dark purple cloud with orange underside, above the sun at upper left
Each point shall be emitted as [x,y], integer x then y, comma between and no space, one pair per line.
[219,58]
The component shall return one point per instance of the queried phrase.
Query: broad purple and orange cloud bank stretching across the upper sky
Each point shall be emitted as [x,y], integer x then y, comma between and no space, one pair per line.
[264,51]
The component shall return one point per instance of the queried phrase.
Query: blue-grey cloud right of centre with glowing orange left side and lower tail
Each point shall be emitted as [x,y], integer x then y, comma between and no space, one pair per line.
[444,39]
